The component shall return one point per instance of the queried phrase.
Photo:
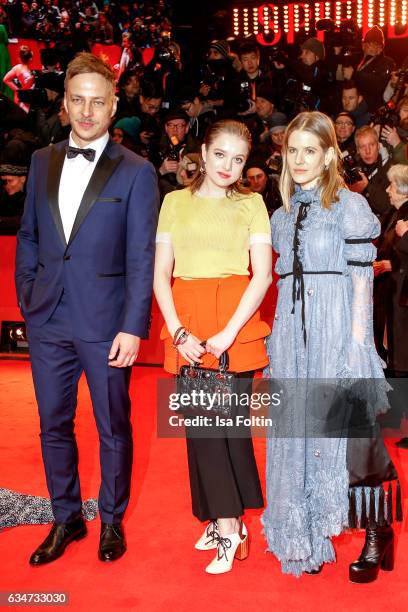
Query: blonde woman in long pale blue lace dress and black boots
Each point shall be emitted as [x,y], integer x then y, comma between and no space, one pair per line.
[322,330]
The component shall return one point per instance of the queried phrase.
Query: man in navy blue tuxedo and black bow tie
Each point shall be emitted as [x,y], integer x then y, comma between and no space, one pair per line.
[84,269]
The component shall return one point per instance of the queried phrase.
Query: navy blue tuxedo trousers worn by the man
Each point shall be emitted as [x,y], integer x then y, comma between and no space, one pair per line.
[58,359]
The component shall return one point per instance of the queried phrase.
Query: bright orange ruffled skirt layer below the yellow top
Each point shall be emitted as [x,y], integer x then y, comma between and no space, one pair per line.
[205,306]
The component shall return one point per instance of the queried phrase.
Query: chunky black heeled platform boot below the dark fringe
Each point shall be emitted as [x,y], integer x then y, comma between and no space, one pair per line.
[378,552]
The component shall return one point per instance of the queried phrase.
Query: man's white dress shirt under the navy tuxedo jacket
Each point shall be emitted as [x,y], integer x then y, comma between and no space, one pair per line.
[75,176]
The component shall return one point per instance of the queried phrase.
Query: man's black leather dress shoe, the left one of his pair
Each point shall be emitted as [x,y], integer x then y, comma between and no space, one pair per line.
[55,543]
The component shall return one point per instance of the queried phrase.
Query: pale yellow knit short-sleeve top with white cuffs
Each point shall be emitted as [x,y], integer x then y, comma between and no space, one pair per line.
[211,237]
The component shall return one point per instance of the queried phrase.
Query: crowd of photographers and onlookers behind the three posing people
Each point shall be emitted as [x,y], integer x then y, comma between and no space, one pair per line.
[165,107]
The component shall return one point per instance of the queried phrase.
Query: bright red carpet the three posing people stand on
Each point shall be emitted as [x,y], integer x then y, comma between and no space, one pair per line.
[161,570]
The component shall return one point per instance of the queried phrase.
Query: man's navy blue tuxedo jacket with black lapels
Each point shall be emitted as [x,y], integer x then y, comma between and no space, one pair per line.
[106,267]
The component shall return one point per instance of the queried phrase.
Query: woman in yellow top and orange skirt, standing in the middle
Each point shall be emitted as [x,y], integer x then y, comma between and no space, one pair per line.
[207,236]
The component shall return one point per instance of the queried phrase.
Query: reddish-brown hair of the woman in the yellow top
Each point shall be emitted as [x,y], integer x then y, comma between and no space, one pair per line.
[225,126]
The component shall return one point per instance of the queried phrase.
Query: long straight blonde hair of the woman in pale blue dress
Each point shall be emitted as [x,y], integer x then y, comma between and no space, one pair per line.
[331,179]
